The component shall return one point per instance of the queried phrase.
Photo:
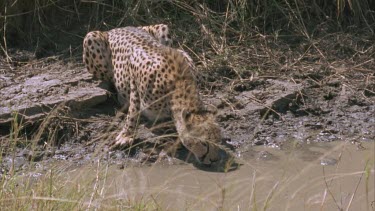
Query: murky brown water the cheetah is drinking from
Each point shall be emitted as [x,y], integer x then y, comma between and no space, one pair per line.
[315,176]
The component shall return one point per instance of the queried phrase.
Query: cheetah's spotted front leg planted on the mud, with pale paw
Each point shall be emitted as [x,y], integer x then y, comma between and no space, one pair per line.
[127,134]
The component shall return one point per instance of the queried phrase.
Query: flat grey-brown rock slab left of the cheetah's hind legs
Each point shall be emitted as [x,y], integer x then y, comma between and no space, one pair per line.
[32,97]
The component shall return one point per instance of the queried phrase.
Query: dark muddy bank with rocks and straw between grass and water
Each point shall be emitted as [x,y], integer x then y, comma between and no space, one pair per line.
[67,116]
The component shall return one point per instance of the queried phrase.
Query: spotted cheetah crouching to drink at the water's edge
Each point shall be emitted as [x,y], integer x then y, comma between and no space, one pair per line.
[156,81]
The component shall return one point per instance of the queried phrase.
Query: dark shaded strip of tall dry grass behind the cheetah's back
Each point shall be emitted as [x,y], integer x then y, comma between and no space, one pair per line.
[47,26]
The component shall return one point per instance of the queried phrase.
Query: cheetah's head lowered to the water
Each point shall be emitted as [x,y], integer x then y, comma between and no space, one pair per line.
[200,134]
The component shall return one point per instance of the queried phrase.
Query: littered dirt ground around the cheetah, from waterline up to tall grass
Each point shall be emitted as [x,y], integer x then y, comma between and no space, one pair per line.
[305,92]
